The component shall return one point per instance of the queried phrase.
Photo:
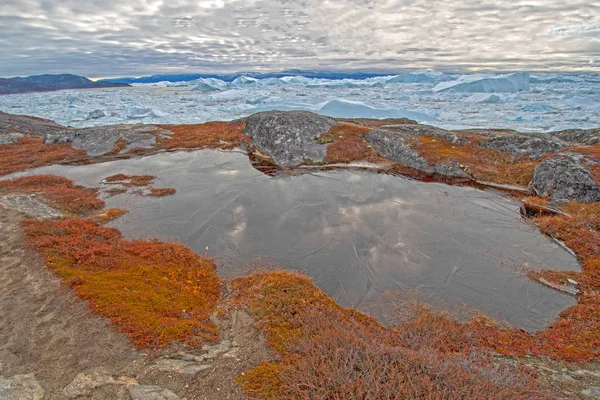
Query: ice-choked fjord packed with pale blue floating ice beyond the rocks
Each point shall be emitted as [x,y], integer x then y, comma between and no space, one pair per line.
[561,102]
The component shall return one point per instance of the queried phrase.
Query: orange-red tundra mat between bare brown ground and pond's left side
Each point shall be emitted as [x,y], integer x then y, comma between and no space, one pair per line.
[154,292]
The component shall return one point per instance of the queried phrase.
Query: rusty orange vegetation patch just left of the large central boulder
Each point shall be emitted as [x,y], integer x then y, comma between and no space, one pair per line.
[212,135]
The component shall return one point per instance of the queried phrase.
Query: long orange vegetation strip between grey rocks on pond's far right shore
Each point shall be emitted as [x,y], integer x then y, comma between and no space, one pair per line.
[484,164]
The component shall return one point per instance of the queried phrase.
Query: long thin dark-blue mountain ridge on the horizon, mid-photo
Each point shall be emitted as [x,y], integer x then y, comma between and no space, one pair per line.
[257,75]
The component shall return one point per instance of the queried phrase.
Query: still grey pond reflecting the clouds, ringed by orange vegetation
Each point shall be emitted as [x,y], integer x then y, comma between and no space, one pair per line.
[358,234]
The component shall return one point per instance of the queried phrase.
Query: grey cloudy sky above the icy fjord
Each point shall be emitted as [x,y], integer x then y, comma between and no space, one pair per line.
[101,38]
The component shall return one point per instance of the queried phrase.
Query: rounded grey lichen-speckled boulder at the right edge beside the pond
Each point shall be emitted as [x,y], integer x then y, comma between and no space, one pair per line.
[564,178]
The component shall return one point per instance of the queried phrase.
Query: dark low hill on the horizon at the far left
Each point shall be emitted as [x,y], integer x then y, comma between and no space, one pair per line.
[46,83]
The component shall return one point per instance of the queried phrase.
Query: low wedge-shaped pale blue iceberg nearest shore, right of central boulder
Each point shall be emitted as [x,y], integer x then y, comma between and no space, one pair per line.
[348,109]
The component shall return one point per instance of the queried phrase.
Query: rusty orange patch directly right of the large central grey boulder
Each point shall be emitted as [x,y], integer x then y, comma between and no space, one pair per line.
[346,143]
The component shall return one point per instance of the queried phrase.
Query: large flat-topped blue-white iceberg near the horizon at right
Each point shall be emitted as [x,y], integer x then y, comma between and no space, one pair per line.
[510,83]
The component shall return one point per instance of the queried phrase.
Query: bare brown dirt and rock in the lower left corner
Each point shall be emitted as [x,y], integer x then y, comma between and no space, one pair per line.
[53,347]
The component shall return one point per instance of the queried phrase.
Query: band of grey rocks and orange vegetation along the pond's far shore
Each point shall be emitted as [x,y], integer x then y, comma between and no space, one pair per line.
[561,166]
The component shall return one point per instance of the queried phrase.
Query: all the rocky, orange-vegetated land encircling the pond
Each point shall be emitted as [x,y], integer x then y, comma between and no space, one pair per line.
[276,334]
